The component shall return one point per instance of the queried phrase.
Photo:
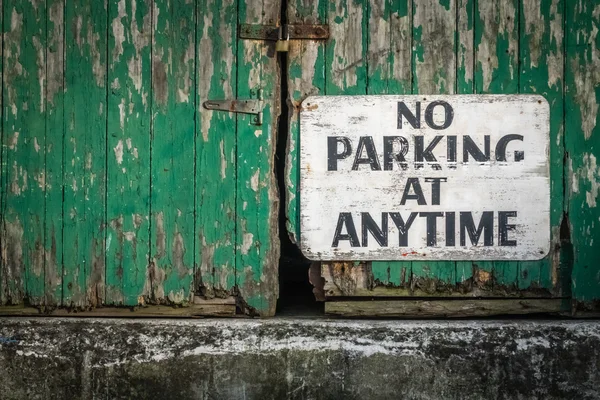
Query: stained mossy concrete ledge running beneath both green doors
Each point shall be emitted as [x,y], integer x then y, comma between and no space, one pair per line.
[297,359]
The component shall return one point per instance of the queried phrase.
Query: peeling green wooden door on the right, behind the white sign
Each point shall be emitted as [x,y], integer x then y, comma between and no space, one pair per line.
[464,47]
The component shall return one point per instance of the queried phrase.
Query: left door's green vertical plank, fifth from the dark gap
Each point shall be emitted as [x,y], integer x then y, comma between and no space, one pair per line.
[85,153]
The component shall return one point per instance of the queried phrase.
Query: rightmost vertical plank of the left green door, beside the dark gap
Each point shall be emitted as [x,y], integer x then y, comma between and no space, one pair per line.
[257,241]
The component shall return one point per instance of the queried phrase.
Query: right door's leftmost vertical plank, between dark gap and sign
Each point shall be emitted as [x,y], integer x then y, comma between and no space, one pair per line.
[306,77]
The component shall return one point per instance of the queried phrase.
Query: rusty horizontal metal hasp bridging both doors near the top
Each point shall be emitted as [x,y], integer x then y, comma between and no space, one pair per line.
[284,32]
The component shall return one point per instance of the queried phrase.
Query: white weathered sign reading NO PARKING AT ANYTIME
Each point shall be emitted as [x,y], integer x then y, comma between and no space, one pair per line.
[425,177]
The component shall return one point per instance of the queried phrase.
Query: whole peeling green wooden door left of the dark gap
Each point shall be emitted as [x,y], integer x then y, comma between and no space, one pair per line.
[118,187]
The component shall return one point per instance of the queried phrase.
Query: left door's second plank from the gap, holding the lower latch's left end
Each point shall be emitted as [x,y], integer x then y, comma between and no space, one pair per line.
[215,143]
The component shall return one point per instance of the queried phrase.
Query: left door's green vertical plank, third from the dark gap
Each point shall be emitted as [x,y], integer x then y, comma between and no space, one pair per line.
[173,130]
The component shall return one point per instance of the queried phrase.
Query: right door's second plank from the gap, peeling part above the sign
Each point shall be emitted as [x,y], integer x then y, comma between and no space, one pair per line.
[346,51]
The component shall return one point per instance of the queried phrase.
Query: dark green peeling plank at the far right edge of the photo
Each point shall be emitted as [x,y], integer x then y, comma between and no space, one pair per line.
[582,133]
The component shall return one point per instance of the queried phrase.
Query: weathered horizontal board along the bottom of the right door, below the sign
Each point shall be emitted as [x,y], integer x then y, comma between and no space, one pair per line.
[443,308]
